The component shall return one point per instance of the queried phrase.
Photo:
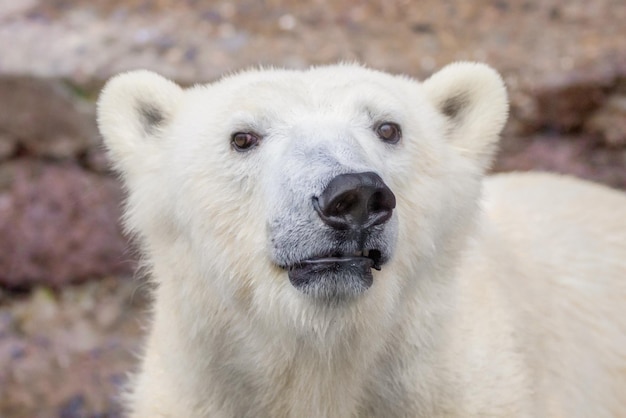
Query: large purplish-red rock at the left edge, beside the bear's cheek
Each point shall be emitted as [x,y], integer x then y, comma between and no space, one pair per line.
[58,224]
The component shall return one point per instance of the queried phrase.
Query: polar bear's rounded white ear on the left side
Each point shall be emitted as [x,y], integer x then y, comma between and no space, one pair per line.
[133,110]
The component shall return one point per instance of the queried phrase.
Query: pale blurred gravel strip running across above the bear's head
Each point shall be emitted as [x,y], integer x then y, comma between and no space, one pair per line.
[526,40]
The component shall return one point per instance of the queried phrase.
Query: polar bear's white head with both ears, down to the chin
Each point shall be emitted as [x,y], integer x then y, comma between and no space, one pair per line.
[335,186]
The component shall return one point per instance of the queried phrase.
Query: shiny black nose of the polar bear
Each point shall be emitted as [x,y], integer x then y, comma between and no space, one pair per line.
[356,200]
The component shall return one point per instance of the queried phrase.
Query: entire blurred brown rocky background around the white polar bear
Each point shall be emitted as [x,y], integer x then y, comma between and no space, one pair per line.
[71,313]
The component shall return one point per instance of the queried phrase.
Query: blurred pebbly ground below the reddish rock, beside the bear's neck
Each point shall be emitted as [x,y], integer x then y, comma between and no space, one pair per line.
[66,354]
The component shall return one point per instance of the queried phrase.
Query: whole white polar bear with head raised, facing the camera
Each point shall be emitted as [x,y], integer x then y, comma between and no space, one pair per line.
[324,243]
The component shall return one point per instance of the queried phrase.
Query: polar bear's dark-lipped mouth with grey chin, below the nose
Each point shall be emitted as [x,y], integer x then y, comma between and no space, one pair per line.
[336,275]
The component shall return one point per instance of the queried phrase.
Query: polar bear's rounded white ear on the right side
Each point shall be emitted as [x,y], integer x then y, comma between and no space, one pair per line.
[472,97]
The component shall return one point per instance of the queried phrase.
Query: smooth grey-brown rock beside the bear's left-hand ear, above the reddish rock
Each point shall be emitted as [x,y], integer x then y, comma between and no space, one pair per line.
[44,118]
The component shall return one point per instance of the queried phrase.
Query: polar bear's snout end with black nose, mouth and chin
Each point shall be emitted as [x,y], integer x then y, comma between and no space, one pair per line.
[332,258]
